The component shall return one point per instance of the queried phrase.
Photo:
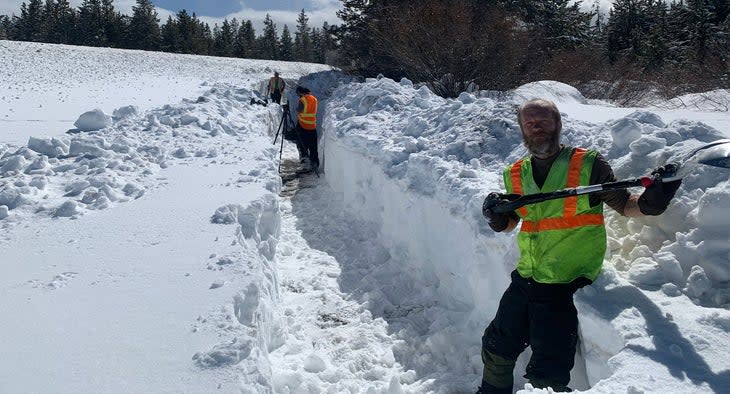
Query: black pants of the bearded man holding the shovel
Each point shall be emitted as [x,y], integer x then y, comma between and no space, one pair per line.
[542,316]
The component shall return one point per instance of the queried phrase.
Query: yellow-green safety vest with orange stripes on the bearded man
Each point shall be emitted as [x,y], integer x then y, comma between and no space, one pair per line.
[559,240]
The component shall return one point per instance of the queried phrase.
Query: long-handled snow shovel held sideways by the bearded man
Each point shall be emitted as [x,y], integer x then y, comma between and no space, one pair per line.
[716,154]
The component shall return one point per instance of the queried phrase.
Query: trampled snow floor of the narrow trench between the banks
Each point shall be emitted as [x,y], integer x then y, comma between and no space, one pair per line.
[332,341]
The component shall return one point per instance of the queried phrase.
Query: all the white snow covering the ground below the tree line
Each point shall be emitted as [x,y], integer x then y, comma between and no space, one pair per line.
[162,253]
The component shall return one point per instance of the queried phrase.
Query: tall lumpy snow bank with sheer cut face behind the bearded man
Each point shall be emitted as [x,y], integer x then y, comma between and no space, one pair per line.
[417,167]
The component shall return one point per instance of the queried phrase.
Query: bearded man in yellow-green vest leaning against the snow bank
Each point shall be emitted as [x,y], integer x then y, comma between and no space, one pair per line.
[562,243]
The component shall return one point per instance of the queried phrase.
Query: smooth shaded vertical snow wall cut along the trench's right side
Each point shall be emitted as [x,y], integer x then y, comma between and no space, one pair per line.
[437,278]
